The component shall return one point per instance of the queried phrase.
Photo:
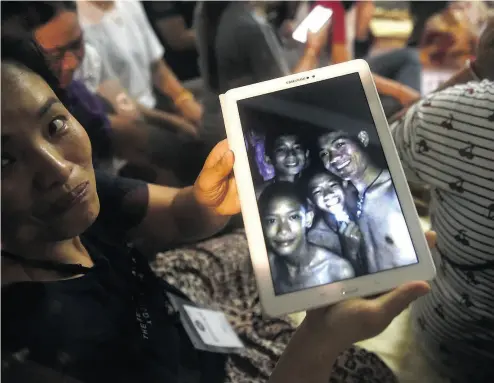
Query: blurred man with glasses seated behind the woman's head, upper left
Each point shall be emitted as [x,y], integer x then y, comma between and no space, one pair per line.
[130,132]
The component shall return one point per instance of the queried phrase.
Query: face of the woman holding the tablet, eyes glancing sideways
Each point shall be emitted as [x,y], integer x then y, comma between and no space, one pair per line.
[48,182]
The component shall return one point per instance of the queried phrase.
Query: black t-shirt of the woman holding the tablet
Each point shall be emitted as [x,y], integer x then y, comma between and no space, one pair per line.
[114,324]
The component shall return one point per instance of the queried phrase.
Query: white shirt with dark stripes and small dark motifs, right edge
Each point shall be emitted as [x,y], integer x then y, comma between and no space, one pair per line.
[447,141]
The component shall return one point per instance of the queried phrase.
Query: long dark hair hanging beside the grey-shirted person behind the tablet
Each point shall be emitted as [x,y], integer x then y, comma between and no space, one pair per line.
[213,11]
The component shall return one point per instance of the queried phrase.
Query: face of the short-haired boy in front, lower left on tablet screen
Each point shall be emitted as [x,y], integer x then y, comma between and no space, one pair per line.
[285,222]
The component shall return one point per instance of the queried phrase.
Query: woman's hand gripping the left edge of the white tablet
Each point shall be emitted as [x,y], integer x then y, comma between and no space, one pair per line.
[215,187]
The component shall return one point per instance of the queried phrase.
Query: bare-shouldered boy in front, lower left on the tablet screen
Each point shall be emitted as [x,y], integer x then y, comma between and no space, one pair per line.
[295,263]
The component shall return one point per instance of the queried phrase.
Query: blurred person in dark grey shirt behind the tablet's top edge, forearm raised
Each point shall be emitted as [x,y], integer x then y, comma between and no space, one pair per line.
[237,46]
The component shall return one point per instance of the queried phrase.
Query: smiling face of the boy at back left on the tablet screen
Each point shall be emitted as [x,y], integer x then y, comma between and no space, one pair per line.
[289,156]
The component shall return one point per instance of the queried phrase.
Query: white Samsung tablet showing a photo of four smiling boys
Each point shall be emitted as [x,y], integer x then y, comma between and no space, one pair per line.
[326,206]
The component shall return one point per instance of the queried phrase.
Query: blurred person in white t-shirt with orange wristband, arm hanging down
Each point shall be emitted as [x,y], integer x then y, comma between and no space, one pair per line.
[125,40]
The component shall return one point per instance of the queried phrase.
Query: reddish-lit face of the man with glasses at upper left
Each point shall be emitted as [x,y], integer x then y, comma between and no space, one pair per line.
[62,44]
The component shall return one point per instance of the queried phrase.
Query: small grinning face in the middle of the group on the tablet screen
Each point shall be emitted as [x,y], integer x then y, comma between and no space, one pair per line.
[326,192]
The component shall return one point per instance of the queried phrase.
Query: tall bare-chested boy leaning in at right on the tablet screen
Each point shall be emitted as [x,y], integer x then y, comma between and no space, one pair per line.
[380,218]
